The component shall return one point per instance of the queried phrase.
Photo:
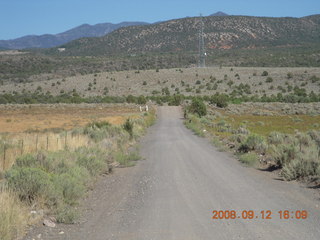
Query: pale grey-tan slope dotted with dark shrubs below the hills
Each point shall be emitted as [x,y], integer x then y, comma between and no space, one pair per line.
[241,81]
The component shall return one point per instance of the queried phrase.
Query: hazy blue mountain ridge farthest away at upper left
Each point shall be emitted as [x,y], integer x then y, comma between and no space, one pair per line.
[52,40]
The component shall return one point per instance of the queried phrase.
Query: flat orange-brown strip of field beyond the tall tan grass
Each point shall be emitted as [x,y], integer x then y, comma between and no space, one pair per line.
[20,118]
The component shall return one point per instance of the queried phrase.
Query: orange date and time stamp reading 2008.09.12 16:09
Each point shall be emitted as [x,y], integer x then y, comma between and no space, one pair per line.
[263,214]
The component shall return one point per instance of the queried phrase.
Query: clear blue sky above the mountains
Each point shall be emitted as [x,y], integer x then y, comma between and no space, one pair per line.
[25,17]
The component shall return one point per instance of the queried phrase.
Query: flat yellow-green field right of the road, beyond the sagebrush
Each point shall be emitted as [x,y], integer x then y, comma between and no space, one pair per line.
[264,119]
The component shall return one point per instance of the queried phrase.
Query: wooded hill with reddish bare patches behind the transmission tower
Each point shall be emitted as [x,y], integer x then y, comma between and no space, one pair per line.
[181,35]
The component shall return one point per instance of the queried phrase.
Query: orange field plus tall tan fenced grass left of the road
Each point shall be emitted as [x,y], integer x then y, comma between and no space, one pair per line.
[28,129]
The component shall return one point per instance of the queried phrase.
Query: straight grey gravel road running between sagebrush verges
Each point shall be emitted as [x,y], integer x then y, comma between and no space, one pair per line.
[171,195]
